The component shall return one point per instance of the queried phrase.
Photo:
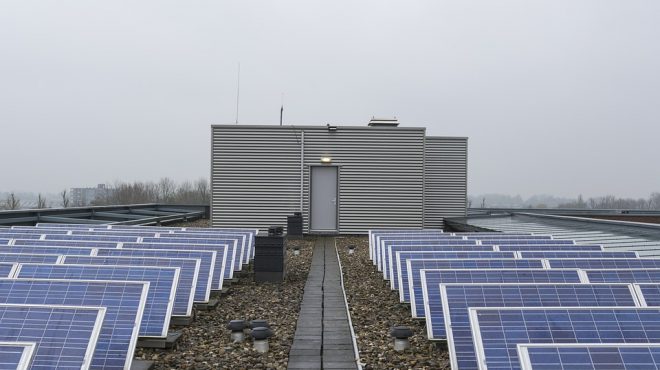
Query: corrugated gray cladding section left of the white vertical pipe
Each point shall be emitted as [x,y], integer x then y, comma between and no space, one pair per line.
[255,175]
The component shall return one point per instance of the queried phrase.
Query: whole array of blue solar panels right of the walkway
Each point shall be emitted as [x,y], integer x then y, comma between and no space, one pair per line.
[539,274]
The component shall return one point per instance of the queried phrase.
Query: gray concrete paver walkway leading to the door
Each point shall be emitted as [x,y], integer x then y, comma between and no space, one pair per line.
[323,336]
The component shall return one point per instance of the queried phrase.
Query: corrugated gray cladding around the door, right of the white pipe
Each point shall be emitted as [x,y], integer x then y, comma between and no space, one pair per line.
[380,175]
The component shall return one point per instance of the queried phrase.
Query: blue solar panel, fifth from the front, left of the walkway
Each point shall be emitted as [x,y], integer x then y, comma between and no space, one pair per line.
[186,287]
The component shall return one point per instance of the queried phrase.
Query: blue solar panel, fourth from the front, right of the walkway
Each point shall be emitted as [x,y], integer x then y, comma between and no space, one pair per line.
[426,293]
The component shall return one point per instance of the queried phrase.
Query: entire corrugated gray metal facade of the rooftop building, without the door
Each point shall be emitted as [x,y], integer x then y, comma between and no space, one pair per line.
[256,175]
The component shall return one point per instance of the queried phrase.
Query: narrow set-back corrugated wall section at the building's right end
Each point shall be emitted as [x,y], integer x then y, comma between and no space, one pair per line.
[445,185]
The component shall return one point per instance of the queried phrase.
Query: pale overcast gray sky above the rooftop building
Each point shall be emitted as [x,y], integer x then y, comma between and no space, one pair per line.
[559,97]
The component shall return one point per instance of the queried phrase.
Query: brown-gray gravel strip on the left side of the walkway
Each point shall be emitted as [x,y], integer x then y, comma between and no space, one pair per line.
[206,343]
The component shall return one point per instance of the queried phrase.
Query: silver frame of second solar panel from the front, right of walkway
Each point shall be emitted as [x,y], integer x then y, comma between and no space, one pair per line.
[474,322]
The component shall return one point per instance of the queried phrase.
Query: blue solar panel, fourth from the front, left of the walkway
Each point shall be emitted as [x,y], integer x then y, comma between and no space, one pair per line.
[160,298]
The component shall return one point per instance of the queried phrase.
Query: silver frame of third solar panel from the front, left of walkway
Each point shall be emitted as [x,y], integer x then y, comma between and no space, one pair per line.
[139,312]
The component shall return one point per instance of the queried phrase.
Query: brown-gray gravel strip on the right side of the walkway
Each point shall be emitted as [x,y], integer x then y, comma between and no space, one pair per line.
[375,309]
